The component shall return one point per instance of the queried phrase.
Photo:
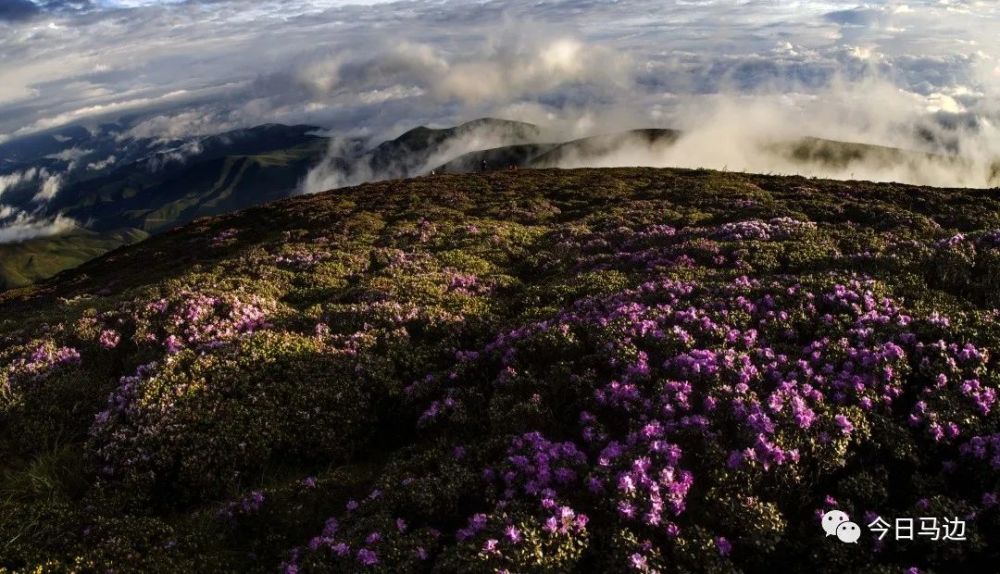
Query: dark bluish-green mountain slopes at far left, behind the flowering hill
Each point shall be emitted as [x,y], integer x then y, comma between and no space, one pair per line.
[119,192]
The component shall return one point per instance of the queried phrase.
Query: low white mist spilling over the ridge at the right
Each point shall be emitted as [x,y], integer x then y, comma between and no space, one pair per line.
[763,133]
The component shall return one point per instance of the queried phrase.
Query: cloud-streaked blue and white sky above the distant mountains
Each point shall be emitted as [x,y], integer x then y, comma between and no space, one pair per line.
[878,71]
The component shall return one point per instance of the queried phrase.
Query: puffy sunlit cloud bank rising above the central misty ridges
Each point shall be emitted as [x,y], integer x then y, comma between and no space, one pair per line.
[513,63]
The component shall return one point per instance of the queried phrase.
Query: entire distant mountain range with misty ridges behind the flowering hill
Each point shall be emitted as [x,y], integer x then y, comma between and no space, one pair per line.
[121,189]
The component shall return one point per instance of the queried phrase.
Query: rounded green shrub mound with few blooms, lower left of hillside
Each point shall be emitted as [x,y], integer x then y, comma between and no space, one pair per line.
[271,397]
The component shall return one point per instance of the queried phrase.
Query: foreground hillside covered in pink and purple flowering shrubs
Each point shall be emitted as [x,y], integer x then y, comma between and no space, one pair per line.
[527,371]
